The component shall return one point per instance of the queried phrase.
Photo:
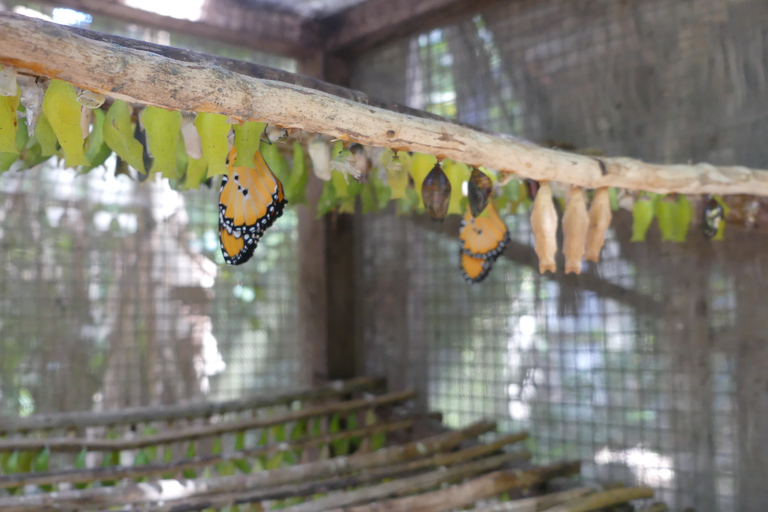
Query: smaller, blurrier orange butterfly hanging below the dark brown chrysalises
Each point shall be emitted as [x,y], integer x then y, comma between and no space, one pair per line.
[483,239]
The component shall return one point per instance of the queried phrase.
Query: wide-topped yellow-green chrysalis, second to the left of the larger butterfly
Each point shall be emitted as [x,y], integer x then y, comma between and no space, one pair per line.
[163,129]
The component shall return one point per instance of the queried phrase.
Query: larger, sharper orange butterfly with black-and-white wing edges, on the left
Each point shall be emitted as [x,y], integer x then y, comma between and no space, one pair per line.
[249,202]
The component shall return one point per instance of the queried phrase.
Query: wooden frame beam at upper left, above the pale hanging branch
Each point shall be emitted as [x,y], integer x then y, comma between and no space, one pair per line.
[279,32]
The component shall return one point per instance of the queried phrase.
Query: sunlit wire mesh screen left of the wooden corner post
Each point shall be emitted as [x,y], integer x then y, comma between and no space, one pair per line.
[114,294]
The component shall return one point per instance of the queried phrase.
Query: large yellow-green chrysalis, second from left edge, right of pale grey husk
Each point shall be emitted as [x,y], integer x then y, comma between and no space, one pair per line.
[62,109]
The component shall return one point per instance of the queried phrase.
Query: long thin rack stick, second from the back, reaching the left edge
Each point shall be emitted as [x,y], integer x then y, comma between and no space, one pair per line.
[196,432]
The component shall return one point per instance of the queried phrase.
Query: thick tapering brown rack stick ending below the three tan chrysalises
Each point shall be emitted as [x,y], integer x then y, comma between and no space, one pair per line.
[462,495]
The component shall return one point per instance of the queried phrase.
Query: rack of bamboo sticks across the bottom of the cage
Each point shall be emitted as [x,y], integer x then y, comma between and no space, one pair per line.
[326,469]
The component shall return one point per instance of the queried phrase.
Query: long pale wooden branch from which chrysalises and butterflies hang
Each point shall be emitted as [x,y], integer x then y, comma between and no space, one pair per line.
[142,77]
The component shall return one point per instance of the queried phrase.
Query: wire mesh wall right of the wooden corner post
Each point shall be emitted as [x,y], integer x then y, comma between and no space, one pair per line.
[650,366]
